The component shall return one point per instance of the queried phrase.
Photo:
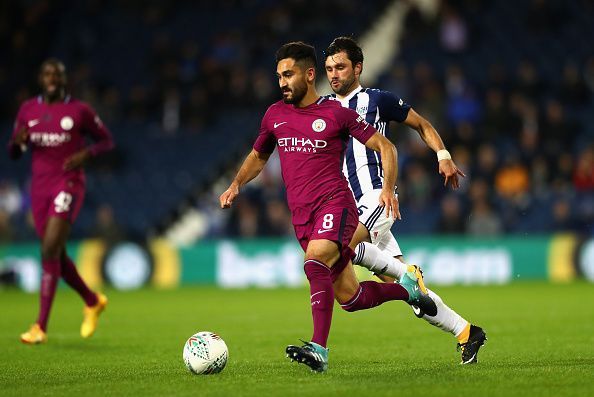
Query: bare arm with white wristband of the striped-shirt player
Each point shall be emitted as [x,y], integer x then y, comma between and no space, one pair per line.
[429,135]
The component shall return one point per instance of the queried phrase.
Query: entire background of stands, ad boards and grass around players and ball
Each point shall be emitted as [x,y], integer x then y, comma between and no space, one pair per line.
[182,85]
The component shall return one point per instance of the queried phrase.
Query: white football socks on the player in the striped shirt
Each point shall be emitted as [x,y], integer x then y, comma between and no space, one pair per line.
[379,262]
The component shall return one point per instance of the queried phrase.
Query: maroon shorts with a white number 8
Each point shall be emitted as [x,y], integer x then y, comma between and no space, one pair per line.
[335,220]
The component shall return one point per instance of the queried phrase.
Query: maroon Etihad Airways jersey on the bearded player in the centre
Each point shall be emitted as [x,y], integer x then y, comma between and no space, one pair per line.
[311,142]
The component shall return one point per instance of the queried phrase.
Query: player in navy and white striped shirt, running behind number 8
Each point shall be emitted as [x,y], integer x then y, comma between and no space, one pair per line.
[374,244]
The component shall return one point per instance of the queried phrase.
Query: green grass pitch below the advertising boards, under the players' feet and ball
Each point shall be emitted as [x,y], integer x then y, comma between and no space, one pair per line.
[541,342]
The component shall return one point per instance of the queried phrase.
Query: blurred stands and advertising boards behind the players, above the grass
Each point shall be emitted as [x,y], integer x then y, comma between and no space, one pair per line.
[183,85]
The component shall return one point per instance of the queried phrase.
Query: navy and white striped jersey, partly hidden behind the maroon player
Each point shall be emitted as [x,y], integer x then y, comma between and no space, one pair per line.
[362,166]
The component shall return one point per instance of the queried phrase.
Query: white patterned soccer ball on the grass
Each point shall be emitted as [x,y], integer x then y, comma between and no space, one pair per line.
[205,353]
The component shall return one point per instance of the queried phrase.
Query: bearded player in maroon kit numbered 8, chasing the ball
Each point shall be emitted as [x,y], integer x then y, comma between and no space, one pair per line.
[311,133]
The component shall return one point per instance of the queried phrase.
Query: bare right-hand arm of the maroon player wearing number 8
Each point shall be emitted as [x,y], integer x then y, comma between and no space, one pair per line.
[389,156]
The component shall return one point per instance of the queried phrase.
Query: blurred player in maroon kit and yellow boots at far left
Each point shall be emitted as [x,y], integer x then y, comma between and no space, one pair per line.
[54,126]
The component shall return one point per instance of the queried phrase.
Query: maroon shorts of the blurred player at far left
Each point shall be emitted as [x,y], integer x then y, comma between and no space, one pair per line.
[64,200]
